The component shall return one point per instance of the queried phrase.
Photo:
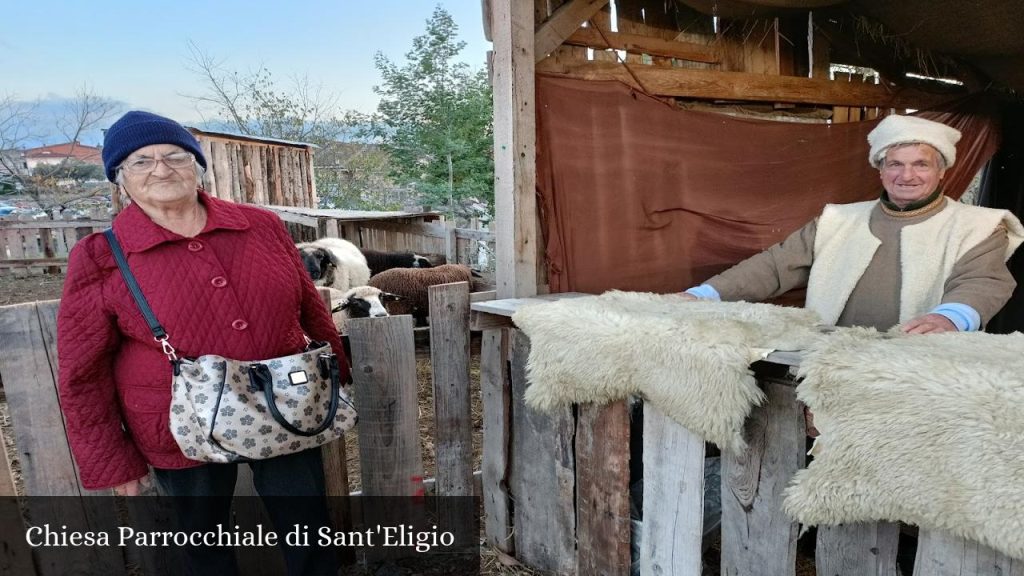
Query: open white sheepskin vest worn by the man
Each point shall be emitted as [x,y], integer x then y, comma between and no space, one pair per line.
[844,248]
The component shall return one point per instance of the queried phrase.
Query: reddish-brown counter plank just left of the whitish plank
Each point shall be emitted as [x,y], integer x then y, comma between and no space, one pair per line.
[603,464]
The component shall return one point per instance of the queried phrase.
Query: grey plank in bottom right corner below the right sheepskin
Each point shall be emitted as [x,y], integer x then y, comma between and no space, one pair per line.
[942,554]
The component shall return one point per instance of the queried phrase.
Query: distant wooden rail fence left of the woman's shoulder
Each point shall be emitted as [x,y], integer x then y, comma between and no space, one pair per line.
[31,248]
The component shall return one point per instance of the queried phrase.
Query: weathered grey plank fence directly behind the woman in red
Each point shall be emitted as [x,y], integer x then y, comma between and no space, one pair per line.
[386,385]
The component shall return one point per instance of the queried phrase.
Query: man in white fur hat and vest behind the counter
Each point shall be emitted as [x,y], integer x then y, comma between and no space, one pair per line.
[915,258]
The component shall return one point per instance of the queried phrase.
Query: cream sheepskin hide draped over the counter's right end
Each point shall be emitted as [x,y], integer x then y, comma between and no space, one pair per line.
[927,430]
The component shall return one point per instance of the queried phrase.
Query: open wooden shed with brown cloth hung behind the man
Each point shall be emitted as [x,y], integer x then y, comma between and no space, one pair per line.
[557,488]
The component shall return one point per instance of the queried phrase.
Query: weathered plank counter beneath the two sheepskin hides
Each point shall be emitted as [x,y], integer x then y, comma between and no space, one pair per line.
[557,487]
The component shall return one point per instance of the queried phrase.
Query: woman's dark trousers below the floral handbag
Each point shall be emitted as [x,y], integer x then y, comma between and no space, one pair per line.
[292,490]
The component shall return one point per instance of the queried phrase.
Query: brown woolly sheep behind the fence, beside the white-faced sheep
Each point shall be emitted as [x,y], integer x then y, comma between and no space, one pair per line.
[412,284]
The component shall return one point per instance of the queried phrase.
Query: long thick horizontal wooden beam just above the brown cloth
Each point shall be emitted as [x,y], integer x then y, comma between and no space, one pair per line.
[707,85]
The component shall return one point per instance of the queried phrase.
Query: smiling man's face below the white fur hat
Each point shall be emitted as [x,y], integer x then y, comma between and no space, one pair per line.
[911,174]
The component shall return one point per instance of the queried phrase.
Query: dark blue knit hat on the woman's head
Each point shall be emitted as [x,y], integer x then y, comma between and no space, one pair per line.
[138,130]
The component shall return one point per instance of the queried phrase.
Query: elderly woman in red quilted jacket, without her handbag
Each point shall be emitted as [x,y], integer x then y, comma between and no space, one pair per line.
[224,279]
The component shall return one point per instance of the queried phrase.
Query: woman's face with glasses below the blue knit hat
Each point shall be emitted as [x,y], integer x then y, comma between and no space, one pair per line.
[169,183]
